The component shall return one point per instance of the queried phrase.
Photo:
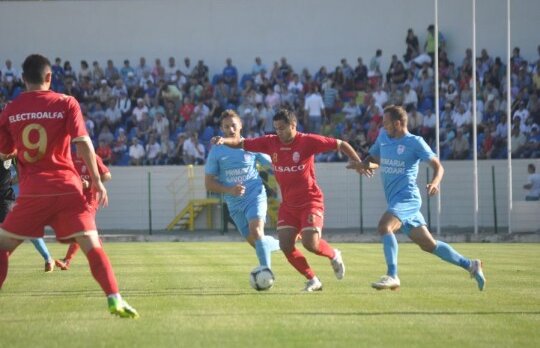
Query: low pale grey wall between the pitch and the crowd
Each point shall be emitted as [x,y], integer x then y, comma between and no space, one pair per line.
[171,190]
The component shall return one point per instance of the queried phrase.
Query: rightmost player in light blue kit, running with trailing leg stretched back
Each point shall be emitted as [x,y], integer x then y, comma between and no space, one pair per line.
[398,153]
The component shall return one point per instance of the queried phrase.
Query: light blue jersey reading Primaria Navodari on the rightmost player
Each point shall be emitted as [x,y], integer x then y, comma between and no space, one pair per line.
[399,158]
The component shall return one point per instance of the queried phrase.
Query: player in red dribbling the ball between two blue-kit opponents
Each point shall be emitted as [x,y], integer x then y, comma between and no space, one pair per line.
[301,211]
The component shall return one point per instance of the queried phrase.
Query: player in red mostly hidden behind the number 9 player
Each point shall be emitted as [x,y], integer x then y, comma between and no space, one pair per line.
[91,200]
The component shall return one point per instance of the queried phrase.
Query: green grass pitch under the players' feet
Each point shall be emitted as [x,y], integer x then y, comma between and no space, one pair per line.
[198,295]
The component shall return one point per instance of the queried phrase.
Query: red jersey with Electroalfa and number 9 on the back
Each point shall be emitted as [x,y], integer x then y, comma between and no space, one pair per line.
[40,125]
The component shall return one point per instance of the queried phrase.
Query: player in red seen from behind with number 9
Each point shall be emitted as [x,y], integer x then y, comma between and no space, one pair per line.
[37,128]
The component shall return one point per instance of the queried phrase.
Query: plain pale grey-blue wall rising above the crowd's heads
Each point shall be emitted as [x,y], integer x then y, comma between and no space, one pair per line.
[310,33]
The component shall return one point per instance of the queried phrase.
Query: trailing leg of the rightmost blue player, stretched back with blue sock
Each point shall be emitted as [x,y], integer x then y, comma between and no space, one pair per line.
[421,236]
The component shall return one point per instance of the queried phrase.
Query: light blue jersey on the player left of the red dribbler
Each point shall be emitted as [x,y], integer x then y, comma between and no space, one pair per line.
[237,166]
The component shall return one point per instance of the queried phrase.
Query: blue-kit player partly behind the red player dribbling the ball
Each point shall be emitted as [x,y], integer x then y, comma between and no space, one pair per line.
[233,172]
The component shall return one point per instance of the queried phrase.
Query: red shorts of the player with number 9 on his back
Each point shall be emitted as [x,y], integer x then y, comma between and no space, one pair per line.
[69,215]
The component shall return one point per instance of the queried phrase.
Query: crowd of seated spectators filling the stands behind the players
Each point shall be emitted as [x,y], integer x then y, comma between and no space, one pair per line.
[154,114]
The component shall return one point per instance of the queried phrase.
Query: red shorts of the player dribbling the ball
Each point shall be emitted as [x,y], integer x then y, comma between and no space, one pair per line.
[308,217]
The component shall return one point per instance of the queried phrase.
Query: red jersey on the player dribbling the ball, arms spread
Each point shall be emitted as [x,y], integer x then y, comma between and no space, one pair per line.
[294,165]
